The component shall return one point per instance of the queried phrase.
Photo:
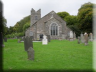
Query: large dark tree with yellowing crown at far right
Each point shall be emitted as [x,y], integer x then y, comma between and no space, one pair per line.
[85,17]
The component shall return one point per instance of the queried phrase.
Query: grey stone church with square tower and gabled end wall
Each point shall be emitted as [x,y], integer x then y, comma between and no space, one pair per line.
[51,24]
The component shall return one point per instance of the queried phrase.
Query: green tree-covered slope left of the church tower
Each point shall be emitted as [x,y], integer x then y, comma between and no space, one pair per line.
[17,29]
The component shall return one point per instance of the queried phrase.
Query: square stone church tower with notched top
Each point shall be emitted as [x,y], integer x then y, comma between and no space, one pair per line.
[35,16]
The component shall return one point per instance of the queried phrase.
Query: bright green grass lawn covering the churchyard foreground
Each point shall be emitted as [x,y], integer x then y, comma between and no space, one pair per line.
[57,55]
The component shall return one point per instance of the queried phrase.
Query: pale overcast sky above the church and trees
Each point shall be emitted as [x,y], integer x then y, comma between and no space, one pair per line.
[15,10]
